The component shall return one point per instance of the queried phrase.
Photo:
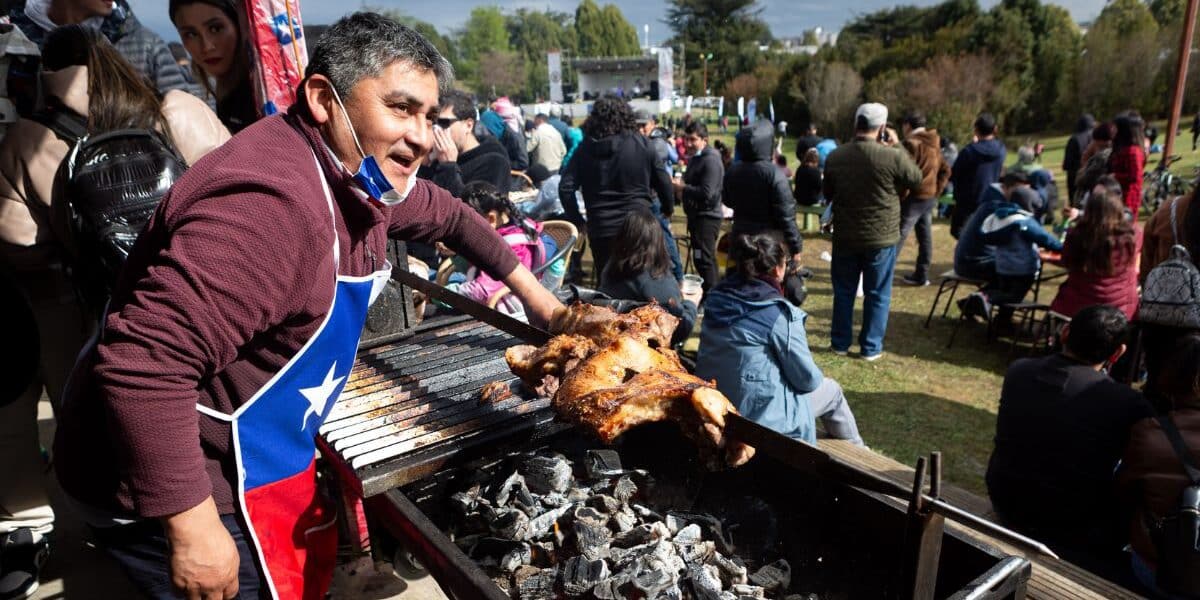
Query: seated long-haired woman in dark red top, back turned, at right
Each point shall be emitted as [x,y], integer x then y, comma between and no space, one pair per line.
[1101,255]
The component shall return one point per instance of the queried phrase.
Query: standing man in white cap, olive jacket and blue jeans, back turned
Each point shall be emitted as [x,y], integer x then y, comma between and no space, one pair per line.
[863,182]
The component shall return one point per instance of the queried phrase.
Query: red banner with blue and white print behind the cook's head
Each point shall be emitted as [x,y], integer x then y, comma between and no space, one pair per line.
[280,51]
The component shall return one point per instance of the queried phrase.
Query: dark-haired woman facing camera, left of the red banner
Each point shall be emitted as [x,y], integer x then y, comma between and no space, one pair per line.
[221,61]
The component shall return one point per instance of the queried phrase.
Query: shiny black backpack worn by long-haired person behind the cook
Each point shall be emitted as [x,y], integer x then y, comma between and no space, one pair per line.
[105,194]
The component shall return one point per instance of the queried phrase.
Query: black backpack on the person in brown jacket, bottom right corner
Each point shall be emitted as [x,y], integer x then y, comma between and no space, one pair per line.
[1178,536]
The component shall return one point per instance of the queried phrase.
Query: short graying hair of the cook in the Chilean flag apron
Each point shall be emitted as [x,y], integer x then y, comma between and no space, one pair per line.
[364,44]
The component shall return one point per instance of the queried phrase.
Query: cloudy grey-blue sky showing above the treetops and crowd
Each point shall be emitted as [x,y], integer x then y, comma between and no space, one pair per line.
[788,19]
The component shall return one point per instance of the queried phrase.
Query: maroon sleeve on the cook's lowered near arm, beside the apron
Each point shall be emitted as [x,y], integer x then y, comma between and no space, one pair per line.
[211,281]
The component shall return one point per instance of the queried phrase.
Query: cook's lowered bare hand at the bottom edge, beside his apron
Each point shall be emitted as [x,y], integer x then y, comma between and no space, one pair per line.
[203,556]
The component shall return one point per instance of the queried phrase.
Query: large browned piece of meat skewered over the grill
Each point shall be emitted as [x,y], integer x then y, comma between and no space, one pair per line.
[608,379]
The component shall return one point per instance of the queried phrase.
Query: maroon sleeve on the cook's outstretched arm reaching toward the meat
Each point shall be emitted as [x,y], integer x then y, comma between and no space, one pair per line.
[430,214]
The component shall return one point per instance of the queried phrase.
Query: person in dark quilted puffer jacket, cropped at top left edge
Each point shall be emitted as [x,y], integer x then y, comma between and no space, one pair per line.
[140,46]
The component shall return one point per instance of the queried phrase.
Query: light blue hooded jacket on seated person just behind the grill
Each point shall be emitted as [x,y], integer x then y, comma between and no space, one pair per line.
[753,344]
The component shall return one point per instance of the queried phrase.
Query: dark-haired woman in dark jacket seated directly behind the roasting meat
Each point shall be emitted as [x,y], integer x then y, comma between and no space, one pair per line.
[640,269]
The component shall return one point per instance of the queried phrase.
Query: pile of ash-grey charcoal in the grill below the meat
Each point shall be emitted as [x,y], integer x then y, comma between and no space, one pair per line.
[544,535]
